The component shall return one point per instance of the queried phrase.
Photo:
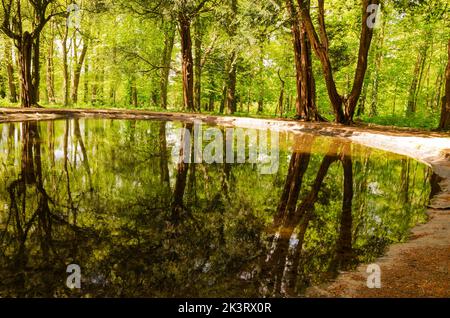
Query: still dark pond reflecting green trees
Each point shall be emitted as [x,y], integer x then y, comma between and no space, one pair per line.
[117,199]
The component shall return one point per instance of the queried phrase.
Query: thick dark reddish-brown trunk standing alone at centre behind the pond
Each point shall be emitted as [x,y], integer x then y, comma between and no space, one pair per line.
[187,61]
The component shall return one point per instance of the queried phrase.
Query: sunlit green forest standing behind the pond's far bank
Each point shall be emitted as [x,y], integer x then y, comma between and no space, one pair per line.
[381,62]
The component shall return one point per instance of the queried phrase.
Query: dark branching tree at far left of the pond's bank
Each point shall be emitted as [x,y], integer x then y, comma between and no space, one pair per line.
[23,22]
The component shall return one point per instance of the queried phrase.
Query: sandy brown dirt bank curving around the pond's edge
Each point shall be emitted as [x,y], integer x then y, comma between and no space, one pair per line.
[418,268]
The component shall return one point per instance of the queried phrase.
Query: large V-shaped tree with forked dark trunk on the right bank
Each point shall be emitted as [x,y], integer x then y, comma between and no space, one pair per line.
[344,106]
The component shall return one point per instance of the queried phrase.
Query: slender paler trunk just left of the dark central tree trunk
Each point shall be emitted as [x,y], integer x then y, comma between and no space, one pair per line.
[169,39]
